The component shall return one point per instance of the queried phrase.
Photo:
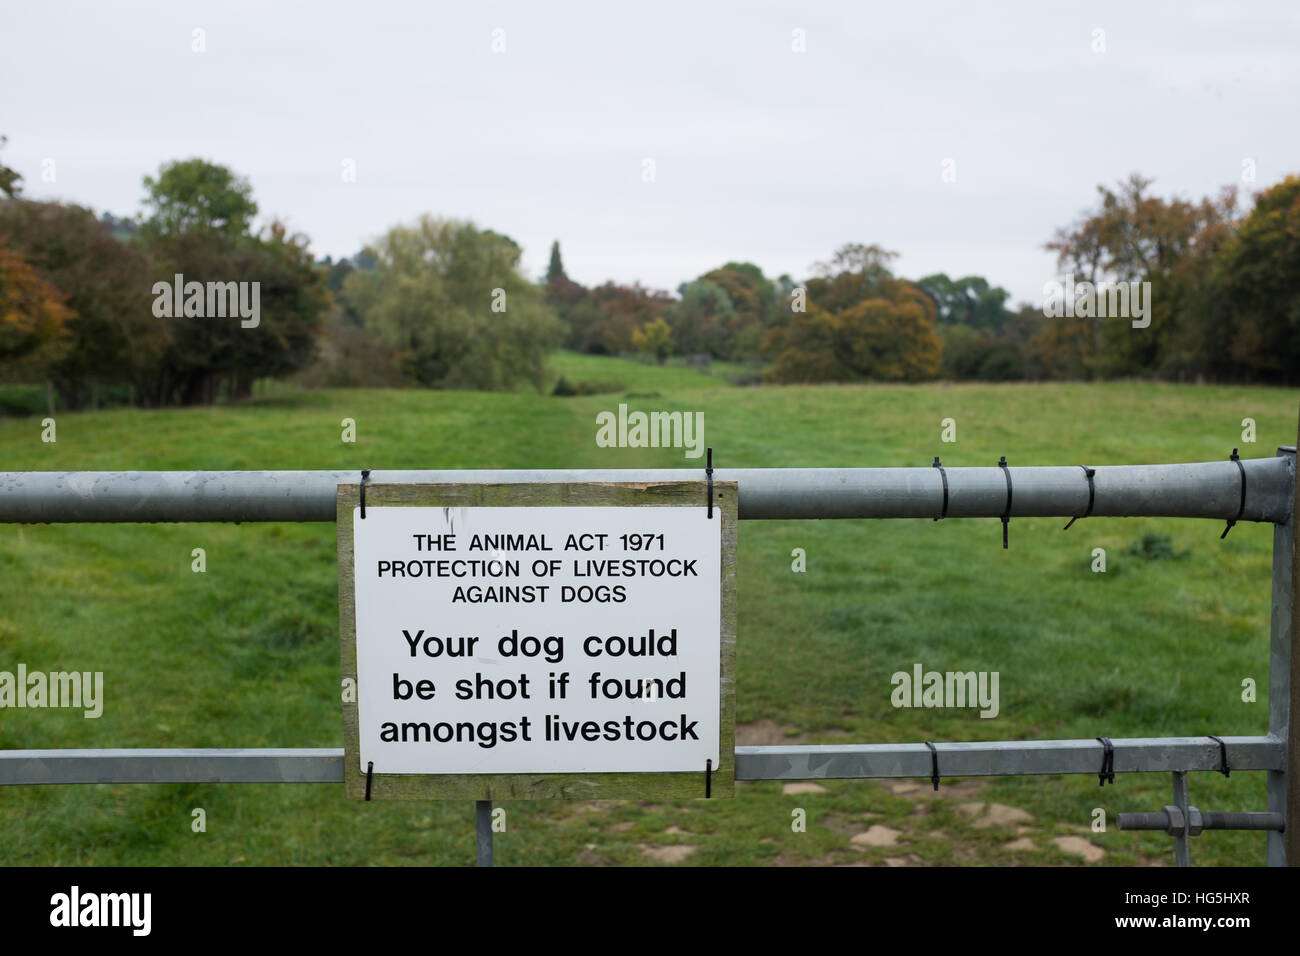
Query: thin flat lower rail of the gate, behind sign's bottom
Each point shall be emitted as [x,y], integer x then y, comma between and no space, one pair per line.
[803,763]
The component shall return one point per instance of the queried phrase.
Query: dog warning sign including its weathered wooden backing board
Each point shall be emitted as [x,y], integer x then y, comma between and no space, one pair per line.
[539,641]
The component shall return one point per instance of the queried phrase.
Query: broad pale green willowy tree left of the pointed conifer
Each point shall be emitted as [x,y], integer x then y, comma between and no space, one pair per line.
[450,300]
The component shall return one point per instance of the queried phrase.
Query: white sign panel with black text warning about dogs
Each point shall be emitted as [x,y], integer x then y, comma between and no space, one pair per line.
[534,641]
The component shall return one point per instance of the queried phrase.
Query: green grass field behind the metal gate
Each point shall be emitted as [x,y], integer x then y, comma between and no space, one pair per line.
[246,655]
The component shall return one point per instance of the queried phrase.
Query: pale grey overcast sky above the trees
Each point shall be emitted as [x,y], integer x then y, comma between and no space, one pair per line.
[760,153]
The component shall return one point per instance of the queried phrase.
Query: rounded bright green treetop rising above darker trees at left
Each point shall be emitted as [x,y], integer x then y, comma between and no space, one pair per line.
[196,196]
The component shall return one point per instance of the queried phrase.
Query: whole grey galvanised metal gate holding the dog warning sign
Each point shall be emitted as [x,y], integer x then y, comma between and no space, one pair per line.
[1259,490]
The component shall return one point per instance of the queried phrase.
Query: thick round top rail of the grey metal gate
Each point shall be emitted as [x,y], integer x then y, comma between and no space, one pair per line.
[1207,490]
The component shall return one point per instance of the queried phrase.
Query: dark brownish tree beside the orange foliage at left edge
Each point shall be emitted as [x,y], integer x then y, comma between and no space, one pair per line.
[112,334]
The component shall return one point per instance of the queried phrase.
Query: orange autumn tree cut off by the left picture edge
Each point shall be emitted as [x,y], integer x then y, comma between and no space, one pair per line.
[33,318]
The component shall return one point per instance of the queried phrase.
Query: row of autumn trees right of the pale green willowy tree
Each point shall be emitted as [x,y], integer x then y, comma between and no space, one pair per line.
[1224,297]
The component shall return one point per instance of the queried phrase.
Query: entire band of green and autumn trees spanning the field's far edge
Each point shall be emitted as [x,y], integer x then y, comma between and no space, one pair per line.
[86,302]
